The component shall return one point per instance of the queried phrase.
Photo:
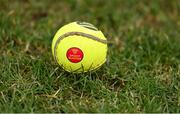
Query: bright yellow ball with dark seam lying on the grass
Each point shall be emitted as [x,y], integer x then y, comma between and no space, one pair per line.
[79,47]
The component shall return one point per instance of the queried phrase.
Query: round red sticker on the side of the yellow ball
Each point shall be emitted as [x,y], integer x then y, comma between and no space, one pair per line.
[74,55]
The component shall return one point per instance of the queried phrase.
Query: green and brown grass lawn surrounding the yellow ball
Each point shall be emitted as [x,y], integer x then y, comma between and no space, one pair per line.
[143,69]
